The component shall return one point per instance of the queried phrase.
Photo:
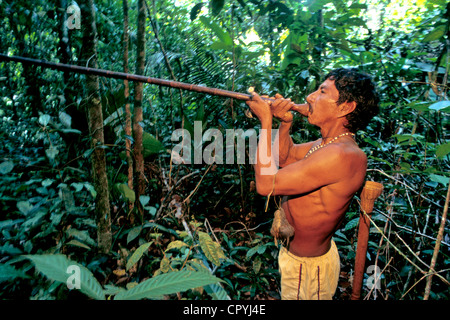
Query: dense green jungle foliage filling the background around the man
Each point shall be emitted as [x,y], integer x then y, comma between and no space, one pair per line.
[203,232]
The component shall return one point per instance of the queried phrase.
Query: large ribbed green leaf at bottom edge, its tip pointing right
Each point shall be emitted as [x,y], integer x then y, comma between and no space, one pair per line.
[168,283]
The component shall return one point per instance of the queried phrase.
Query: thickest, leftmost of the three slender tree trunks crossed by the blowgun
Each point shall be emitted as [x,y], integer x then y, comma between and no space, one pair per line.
[95,119]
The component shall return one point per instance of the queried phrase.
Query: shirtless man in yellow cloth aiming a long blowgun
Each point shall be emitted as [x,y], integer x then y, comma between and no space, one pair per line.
[318,178]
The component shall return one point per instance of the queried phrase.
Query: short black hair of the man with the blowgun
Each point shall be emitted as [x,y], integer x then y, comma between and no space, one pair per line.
[356,86]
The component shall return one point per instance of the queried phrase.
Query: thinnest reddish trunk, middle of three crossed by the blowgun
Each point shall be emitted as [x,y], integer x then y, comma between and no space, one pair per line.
[127,103]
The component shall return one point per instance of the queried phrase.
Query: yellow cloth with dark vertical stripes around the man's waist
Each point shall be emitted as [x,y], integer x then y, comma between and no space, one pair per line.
[309,278]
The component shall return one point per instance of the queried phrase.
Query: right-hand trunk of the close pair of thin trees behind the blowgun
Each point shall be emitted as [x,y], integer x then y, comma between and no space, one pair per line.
[138,116]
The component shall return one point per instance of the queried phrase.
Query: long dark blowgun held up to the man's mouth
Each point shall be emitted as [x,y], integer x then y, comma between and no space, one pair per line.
[301,108]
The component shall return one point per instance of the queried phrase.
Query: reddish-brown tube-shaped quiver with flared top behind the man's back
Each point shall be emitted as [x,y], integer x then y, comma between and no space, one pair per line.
[371,191]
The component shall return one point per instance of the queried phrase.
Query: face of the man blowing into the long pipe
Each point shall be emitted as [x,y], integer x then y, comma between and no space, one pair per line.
[322,104]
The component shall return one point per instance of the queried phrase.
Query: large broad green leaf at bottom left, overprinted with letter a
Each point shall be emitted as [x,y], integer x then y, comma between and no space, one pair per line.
[58,268]
